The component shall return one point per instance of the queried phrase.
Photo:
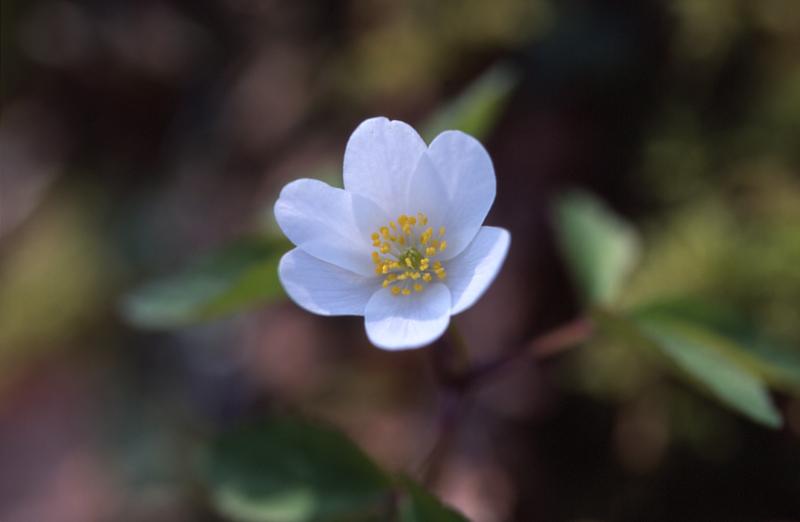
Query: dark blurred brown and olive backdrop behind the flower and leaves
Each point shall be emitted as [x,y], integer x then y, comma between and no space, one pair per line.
[136,136]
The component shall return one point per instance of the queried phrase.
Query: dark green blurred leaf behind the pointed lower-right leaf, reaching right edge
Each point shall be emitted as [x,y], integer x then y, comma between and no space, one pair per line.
[741,341]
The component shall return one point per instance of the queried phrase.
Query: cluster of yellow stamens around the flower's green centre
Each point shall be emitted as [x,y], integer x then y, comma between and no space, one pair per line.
[405,254]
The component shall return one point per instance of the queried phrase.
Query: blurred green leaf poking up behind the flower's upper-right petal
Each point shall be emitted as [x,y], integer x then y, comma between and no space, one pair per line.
[477,109]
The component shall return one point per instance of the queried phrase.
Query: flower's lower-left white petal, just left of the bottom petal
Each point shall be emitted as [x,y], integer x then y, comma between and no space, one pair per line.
[323,288]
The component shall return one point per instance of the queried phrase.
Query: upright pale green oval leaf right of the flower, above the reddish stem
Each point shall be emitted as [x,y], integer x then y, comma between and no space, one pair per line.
[600,248]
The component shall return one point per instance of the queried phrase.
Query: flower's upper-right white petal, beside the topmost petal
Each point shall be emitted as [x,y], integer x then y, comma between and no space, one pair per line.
[467,176]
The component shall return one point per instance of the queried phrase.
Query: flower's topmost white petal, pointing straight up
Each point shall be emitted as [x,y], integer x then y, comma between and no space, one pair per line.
[379,160]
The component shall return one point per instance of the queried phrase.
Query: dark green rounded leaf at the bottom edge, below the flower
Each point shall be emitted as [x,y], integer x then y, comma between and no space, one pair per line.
[288,470]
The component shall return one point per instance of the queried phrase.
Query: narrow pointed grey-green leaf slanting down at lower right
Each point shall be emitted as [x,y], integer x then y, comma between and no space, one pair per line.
[696,354]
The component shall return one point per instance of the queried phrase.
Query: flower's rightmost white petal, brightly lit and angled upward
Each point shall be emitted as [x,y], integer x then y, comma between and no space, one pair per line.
[471,273]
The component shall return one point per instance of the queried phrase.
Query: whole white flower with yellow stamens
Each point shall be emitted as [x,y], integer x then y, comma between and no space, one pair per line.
[402,244]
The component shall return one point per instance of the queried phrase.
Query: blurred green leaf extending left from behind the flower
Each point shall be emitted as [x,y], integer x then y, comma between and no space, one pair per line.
[233,278]
